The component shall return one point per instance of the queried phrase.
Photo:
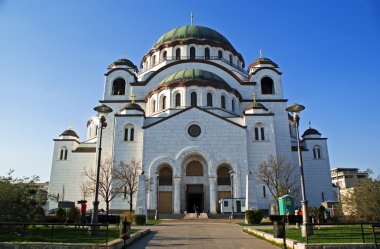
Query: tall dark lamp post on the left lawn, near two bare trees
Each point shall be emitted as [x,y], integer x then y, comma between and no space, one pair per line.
[102,110]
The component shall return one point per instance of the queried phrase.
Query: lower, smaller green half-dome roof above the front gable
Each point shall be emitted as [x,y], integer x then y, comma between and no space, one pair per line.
[193,75]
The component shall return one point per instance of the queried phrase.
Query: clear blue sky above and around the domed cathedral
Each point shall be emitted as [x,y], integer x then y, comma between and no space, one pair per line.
[53,55]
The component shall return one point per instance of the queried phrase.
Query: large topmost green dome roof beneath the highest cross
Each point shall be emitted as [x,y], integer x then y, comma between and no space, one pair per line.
[193,32]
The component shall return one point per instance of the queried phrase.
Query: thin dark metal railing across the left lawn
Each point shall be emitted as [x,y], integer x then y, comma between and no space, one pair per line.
[52,232]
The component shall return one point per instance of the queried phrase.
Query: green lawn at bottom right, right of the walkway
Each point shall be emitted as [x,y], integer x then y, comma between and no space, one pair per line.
[332,234]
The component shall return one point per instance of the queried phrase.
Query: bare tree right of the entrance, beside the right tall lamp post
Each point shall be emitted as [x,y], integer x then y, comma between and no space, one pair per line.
[277,174]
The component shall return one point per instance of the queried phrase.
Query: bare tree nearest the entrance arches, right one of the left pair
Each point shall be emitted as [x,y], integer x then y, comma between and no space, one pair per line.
[128,177]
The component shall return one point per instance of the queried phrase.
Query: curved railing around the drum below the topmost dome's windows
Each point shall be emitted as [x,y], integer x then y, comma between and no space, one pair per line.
[193,58]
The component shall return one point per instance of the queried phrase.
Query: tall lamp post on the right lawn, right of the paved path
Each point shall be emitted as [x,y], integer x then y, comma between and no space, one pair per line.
[295,109]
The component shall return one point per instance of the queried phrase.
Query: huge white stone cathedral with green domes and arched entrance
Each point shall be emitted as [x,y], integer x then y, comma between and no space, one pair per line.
[199,122]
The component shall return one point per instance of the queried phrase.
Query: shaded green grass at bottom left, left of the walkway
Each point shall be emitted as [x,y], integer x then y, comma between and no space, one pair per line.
[61,234]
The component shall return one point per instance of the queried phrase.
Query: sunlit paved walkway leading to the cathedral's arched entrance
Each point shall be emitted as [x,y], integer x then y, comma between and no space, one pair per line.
[181,234]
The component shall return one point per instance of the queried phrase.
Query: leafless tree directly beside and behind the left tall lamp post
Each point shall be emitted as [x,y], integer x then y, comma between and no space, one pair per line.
[109,186]
